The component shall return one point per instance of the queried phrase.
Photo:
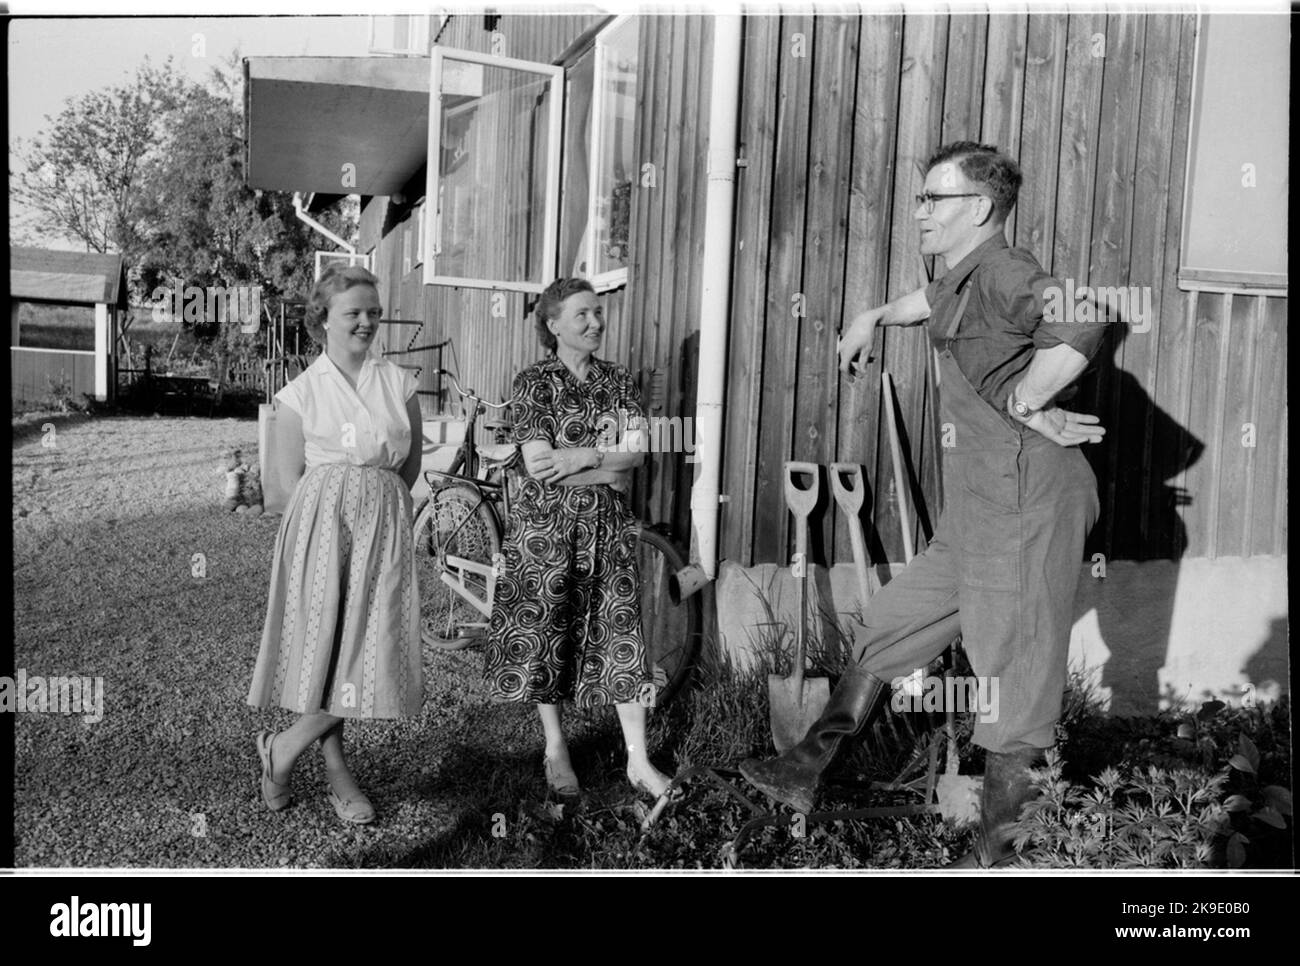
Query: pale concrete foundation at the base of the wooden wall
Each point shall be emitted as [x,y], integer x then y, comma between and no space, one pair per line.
[1146,634]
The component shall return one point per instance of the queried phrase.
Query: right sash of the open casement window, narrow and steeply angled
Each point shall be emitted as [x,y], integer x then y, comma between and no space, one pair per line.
[600,167]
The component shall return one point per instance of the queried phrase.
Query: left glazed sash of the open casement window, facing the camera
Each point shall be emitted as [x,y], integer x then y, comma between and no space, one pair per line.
[495,163]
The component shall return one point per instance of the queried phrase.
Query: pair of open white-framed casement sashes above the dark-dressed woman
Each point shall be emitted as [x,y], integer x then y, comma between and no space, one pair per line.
[505,213]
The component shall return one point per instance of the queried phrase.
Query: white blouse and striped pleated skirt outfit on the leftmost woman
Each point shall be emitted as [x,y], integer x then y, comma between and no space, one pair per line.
[343,631]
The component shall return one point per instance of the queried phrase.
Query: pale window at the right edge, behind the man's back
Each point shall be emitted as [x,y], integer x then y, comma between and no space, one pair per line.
[1236,206]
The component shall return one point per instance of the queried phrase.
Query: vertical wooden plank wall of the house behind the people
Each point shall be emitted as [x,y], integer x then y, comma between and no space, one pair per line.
[838,115]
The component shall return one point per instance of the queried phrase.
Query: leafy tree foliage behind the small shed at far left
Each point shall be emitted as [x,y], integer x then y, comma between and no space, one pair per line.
[155,170]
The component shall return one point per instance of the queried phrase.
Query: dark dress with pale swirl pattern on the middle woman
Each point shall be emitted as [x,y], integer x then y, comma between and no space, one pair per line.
[567,612]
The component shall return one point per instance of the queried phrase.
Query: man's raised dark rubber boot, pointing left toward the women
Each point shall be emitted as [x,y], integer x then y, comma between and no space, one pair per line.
[792,778]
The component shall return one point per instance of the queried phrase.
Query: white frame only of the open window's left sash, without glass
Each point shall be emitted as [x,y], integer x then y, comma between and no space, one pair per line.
[551,216]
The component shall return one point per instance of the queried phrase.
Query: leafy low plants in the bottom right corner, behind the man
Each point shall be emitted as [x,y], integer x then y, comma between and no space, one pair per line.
[1198,794]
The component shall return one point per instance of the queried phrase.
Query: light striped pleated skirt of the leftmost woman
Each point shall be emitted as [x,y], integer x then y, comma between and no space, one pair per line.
[343,631]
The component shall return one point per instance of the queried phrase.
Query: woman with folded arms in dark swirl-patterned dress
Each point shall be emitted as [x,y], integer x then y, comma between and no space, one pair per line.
[566,614]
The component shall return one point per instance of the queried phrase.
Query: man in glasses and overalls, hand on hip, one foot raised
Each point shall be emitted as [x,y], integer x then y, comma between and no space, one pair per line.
[1021,499]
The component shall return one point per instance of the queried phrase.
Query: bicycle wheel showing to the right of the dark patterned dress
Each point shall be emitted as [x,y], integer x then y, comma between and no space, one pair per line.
[671,631]
